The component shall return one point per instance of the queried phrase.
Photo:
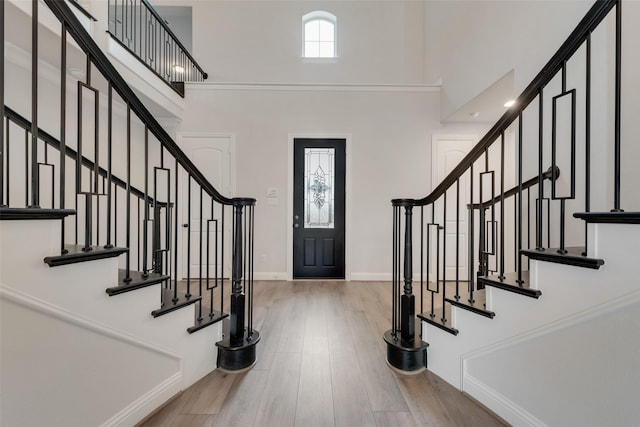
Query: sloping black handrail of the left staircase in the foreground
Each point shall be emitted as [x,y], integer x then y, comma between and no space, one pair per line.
[100,61]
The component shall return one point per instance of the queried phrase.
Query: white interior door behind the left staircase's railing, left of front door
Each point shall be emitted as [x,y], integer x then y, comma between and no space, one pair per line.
[213,156]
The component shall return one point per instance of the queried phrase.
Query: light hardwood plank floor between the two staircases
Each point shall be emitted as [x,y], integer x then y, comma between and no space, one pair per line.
[321,362]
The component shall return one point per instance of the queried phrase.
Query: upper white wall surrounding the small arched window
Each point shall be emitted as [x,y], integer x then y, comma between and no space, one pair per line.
[260,41]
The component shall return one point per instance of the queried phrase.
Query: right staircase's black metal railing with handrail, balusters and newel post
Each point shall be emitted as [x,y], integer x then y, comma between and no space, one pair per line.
[471,229]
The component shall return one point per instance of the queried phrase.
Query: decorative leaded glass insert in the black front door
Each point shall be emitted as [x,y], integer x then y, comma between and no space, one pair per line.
[319,178]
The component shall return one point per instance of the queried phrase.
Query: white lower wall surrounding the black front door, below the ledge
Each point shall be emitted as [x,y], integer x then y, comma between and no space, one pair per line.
[390,156]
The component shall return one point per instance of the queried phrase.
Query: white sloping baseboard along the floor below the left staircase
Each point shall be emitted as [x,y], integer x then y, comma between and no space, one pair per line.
[145,404]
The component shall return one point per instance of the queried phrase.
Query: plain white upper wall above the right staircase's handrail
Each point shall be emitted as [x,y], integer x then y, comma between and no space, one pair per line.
[471,44]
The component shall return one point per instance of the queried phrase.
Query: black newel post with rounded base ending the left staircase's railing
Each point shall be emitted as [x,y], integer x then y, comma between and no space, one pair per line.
[237,350]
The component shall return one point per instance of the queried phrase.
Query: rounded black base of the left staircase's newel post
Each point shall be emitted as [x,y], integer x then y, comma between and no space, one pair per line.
[240,355]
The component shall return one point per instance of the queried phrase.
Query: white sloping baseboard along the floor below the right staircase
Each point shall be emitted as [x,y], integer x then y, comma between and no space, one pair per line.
[500,404]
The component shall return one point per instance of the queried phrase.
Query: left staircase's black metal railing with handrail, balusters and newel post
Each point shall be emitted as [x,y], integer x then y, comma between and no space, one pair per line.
[136,194]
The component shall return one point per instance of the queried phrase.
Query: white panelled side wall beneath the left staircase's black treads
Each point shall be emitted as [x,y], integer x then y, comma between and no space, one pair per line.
[88,358]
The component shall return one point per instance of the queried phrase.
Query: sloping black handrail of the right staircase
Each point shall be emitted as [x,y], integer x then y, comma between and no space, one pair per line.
[591,20]
